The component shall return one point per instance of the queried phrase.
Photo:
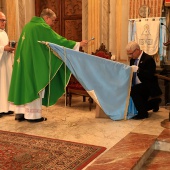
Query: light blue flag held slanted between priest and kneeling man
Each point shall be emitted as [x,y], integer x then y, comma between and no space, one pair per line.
[108,82]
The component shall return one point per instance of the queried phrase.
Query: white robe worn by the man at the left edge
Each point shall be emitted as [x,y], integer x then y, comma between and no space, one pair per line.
[6,62]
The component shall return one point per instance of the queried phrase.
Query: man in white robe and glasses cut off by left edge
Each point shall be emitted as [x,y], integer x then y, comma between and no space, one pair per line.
[6,62]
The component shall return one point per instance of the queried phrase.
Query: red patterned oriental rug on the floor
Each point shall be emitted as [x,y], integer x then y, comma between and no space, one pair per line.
[20,151]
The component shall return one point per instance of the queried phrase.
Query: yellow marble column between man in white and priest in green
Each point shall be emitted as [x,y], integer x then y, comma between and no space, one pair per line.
[18,13]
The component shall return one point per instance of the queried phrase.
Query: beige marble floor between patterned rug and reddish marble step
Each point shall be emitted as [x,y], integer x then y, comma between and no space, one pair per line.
[78,124]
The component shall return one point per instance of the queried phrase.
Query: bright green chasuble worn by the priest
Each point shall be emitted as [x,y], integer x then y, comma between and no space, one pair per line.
[36,68]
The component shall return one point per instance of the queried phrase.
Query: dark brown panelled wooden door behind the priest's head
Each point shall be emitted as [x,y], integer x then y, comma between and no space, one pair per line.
[69,16]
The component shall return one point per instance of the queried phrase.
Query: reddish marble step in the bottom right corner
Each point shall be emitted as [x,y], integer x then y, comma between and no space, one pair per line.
[136,151]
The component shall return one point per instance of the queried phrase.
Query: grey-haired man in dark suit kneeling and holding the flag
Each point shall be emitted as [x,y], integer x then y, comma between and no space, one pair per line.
[145,90]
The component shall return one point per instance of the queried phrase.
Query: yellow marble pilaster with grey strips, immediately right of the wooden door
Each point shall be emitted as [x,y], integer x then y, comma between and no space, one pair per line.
[95,23]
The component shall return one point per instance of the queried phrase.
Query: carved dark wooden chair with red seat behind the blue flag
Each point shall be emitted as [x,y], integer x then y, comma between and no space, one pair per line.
[74,87]
